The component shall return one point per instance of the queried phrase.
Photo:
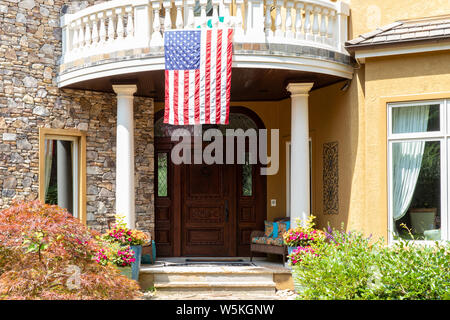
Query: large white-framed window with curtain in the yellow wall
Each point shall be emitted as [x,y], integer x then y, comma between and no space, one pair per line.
[418,155]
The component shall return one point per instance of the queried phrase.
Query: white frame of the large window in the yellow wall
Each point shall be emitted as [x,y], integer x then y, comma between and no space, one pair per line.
[443,135]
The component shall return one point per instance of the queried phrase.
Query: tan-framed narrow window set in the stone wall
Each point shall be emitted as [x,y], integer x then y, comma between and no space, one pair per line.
[62,167]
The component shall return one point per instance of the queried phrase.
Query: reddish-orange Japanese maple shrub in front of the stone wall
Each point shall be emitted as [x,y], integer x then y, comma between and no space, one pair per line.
[45,253]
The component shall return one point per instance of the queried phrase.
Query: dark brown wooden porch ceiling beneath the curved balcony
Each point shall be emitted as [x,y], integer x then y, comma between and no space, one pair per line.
[247,84]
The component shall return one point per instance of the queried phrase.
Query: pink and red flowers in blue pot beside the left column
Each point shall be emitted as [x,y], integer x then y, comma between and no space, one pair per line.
[120,234]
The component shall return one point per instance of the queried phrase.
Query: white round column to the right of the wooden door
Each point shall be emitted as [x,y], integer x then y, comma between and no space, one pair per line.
[300,193]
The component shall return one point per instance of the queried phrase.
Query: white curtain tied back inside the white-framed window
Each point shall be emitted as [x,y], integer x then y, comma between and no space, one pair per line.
[407,156]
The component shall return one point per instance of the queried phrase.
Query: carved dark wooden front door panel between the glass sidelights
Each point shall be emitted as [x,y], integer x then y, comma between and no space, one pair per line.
[208,225]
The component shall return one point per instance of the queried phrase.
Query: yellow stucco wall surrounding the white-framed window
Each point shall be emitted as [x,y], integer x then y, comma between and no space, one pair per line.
[357,118]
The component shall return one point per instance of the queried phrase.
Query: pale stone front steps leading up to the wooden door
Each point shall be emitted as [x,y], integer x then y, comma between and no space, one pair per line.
[217,278]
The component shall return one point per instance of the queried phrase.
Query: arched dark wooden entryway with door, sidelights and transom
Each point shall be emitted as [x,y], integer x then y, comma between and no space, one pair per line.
[207,210]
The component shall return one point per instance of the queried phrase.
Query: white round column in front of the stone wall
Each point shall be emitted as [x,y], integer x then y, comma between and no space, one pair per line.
[125,191]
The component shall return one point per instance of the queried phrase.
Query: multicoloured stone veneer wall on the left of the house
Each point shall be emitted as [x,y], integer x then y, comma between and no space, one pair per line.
[30,46]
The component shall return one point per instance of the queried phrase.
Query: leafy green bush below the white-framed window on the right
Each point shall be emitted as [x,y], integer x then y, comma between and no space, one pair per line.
[350,266]
